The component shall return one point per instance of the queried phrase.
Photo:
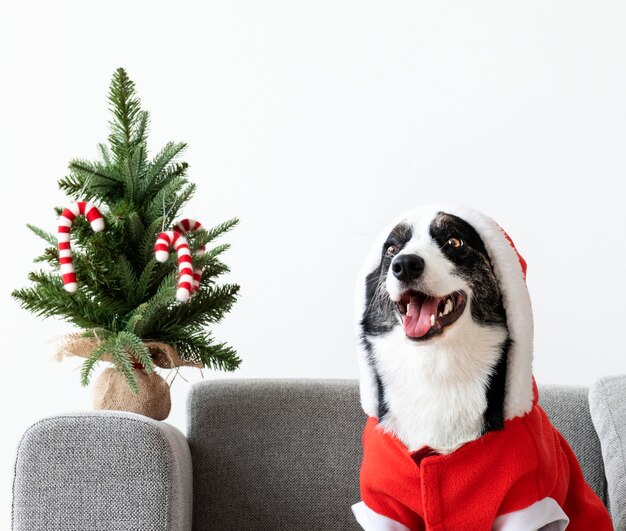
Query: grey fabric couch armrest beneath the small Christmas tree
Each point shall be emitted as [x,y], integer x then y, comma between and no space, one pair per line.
[102,470]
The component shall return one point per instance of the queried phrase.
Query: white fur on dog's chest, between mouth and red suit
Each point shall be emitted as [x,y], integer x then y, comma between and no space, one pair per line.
[436,396]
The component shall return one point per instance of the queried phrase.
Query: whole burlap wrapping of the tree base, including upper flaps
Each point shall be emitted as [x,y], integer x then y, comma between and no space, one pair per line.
[111,389]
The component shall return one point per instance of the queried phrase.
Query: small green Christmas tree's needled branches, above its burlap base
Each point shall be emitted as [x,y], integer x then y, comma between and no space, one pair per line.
[126,299]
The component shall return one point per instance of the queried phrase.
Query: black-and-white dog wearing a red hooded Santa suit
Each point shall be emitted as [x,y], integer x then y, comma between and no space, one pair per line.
[444,326]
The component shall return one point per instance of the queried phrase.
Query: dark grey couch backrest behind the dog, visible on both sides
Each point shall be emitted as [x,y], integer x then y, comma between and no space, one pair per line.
[285,454]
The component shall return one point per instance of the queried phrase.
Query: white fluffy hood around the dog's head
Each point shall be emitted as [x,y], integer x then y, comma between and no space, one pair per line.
[510,271]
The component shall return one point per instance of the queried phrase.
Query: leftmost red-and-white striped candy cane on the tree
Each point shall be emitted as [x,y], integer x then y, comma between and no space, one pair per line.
[66,219]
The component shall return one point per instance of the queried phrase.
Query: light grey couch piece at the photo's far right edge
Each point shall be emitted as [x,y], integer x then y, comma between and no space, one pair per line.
[607,399]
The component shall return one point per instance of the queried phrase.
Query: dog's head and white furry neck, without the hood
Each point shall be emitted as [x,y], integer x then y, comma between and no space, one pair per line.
[434,328]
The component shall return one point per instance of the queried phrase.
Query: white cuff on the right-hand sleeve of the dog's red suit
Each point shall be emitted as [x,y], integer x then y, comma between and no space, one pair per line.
[545,514]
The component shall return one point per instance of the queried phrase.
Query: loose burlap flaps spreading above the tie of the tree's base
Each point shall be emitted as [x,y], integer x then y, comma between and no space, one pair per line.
[163,355]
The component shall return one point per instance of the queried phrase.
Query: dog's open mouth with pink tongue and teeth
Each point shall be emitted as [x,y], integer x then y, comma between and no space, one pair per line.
[424,316]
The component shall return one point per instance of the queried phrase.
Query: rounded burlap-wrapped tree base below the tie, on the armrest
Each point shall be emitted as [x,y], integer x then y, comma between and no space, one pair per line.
[153,400]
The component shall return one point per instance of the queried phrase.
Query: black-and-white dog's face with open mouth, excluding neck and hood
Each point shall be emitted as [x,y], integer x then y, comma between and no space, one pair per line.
[434,280]
